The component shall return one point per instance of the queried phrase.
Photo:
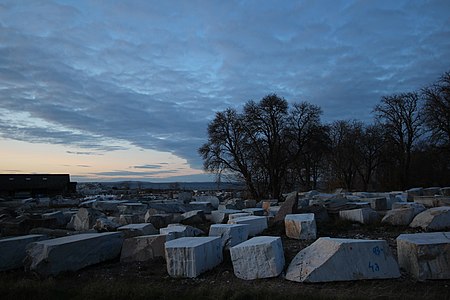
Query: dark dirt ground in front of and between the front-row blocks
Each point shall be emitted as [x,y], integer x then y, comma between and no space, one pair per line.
[115,280]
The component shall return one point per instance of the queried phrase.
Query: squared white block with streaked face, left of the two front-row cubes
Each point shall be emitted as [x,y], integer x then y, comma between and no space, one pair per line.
[191,256]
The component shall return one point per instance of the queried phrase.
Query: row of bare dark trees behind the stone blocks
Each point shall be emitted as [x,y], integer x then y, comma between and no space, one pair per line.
[273,147]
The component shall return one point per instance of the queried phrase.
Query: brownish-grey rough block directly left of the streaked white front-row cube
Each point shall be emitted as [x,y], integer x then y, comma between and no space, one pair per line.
[143,248]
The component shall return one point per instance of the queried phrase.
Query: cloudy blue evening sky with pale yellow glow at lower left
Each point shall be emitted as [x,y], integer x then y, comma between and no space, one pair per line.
[124,90]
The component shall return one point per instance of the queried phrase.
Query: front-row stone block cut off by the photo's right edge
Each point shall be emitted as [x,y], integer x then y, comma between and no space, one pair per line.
[425,255]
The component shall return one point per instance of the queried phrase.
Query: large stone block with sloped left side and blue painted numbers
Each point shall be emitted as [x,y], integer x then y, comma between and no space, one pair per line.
[331,259]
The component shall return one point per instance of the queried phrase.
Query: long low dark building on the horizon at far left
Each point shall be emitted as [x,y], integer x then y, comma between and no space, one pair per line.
[34,185]
